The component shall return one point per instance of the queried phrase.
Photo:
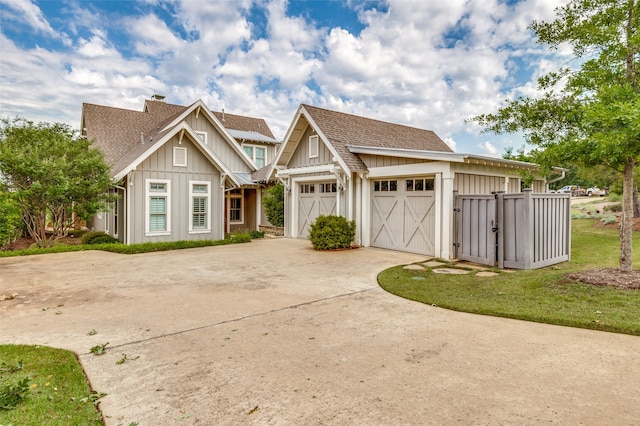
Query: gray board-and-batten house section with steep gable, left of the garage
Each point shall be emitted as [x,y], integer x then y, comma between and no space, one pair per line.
[183,172]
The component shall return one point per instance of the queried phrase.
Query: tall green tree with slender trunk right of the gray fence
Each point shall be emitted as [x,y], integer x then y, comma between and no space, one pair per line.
[589,115]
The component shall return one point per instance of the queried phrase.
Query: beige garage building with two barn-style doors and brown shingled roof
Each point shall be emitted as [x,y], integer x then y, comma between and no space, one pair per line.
[398,183]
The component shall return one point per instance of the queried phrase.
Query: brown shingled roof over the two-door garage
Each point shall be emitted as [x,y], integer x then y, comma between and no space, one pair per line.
[342,130]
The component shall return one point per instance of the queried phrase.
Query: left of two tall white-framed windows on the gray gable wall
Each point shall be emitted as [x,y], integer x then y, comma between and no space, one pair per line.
[158,207]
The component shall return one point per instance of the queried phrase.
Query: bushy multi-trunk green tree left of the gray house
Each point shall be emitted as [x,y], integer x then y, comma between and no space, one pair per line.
[53,175]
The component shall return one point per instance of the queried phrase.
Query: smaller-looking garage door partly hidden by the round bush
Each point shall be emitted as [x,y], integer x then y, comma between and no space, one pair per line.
[314,199]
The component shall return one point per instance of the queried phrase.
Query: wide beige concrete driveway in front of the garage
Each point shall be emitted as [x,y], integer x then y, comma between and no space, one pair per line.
[273,332]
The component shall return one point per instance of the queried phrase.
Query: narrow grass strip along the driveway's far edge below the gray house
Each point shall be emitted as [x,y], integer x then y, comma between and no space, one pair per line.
[130,249]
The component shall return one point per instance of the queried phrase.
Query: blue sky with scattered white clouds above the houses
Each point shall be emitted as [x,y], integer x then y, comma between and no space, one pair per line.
[426,63]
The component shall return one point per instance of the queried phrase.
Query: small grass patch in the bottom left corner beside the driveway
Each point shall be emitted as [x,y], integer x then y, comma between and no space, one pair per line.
[51,387]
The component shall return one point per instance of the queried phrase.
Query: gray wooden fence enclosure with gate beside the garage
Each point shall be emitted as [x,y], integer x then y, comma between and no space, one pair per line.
[521,231]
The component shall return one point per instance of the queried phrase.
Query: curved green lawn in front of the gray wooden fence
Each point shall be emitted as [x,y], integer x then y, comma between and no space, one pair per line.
[543,295]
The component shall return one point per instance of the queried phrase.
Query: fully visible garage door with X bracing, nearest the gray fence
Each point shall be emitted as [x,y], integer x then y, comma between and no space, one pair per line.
[402,214]
